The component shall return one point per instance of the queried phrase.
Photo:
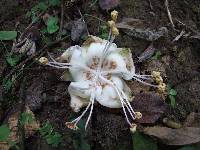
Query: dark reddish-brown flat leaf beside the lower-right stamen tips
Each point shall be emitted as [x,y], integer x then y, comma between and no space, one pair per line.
[150,105]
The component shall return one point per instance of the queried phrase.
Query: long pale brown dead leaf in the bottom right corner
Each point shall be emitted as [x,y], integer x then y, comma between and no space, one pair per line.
[182,136]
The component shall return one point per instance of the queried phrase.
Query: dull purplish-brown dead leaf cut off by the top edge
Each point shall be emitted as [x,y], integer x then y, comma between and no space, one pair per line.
[108,4]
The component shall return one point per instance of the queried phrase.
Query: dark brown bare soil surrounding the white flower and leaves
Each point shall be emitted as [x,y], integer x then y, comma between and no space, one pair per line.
[180,64]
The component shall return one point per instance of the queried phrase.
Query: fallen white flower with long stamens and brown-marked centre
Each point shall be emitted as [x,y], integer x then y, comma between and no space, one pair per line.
[98,70]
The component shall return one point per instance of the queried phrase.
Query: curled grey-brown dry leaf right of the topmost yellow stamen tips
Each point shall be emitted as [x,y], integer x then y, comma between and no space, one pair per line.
[138,28]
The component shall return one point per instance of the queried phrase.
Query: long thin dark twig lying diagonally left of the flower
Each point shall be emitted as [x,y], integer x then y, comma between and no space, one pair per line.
[39,52]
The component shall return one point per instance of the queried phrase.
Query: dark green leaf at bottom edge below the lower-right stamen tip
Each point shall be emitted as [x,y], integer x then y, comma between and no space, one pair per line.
[143,142]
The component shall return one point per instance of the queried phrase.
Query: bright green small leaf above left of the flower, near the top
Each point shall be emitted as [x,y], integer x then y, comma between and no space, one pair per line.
[52,26]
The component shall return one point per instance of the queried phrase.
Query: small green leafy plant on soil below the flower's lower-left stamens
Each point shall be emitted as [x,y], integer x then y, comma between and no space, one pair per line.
[47,132]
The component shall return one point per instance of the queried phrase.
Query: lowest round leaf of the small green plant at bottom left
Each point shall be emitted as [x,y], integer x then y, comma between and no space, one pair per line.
[54,139]
